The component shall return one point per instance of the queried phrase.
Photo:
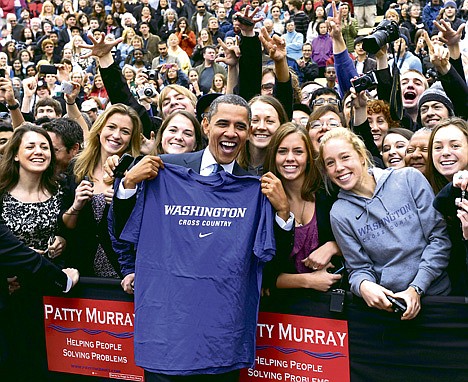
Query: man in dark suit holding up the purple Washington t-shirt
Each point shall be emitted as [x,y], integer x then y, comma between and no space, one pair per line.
[227,128]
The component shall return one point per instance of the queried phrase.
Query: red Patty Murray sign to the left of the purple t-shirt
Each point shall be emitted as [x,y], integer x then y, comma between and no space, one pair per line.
[91,337]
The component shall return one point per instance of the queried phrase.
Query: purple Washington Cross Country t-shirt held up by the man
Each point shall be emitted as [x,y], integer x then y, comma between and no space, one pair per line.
[201,243]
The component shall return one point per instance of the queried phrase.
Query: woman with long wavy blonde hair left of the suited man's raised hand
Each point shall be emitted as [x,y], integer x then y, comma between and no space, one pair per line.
[115,132]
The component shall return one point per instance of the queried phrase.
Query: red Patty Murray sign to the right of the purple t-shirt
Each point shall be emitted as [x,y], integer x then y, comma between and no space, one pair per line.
[299,349]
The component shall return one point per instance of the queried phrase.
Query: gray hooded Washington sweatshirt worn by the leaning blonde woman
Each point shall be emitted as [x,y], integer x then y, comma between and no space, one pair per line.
[396,238]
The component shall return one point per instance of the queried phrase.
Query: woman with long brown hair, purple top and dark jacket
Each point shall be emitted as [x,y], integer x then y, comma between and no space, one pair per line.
[290,162]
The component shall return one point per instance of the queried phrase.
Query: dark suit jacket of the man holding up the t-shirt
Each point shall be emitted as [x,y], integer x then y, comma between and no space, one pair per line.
[123,208]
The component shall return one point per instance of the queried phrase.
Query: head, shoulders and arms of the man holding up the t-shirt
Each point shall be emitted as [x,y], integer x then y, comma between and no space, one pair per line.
[227,127]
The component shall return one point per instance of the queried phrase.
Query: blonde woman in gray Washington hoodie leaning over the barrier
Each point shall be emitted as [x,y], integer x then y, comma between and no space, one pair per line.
[394,242]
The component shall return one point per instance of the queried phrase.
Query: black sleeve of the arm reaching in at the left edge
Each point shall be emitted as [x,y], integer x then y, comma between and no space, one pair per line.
[16,258]
